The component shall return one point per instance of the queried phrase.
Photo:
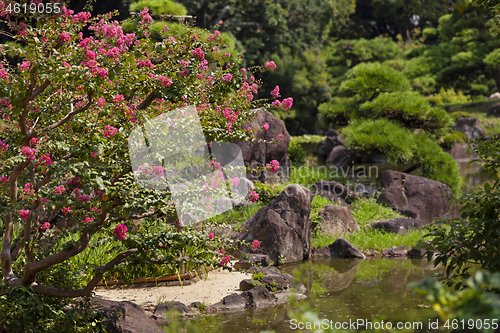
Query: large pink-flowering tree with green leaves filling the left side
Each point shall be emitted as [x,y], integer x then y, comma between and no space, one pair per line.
[67,111]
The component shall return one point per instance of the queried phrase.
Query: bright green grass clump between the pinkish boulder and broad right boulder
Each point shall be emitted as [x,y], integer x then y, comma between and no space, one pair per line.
[367,210]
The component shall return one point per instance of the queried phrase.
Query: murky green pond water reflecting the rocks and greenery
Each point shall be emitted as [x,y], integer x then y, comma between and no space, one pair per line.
[343,290]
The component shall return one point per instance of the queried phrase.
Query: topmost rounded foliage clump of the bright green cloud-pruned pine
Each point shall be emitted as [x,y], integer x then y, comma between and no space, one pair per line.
[367,80]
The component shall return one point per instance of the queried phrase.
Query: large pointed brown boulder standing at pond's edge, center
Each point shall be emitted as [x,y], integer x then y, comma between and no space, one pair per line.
[282,227]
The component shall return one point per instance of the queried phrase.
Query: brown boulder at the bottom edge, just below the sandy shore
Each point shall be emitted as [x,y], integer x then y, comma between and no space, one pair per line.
[121,317]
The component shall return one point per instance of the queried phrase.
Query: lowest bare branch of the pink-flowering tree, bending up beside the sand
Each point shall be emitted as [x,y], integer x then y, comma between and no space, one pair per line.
[86,291]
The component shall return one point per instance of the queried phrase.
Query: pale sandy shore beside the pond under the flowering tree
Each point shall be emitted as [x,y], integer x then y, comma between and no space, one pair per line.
[211,290]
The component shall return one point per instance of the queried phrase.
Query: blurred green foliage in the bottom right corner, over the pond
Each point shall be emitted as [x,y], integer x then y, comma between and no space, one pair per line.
[463,308]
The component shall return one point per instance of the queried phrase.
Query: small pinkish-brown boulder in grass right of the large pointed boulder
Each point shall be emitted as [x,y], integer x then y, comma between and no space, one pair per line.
[337,221]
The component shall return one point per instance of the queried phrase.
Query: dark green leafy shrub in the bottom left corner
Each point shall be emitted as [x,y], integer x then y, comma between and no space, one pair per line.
[22,311]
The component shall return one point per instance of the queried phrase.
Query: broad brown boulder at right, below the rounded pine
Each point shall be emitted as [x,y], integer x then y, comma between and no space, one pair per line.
[416,197]
